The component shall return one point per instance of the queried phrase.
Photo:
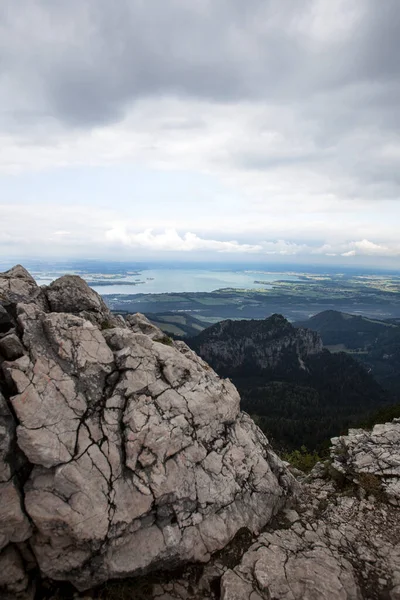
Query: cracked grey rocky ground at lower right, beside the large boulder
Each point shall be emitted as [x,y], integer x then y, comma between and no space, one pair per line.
[342,544]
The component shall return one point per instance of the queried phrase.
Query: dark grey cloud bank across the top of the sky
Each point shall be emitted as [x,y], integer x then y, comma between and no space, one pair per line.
[83,63]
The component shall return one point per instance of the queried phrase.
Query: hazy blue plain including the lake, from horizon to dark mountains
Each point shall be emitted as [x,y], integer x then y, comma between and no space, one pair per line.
[183,299]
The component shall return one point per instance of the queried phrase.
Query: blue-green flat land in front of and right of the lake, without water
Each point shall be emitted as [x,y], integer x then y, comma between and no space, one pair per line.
[375,295]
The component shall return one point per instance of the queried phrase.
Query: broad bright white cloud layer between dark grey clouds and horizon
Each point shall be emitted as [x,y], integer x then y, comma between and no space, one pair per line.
[254,171]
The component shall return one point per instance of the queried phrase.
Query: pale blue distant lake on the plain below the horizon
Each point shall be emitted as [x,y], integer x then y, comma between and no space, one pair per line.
[158,281]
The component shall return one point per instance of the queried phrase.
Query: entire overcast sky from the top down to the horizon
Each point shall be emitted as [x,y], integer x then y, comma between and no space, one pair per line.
[215,129]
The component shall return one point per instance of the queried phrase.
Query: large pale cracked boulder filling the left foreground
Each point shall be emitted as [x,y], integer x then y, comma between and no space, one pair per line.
[120,451]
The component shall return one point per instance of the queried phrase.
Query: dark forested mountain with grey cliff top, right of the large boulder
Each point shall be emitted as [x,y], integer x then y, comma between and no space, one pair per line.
[300,392]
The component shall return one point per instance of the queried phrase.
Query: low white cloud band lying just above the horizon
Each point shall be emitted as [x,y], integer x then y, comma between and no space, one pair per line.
[77,230]
